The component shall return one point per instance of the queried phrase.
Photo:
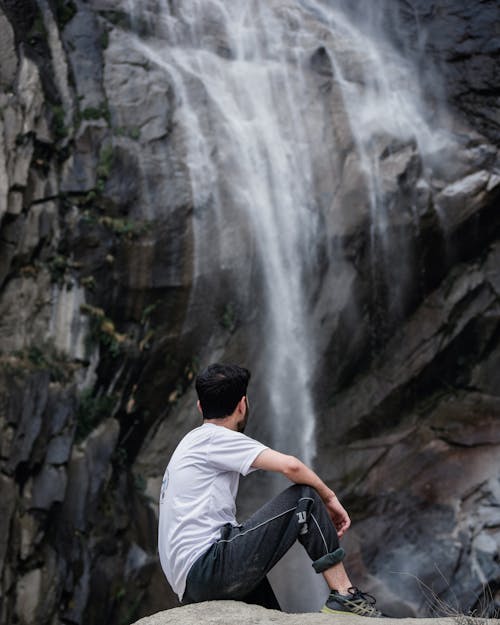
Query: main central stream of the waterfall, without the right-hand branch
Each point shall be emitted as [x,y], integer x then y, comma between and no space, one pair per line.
[249,158]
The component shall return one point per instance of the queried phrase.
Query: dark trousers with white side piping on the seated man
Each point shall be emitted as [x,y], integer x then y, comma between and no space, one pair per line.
[235,567]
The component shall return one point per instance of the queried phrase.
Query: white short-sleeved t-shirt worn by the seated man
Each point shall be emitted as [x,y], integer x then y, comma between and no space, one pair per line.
[198,495]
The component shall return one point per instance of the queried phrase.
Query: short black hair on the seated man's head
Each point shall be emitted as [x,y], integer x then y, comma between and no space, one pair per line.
[220,388]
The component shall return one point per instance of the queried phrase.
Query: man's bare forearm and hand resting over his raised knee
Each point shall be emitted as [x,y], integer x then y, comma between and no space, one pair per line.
[296,471]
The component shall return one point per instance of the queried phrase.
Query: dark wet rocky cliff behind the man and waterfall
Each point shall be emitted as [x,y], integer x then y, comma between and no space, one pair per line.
[110,300]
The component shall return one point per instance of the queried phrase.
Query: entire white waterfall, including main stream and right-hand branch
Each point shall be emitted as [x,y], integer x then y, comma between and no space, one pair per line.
[265,167]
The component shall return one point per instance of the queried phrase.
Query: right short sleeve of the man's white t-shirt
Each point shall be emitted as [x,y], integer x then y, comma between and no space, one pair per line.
[233,451]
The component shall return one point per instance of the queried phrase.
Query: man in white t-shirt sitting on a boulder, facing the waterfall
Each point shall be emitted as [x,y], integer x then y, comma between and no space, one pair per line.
[204,552]
